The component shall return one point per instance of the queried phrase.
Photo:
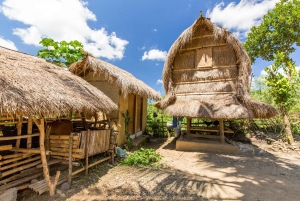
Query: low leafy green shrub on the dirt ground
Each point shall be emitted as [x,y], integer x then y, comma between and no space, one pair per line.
[142,157]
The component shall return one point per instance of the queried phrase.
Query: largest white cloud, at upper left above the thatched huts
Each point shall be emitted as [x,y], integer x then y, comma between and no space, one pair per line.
[62,20]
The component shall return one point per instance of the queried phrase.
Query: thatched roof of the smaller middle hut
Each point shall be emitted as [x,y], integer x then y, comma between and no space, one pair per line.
[114,75]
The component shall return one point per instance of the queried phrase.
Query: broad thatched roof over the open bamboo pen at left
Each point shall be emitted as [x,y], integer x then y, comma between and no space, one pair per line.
[33,86]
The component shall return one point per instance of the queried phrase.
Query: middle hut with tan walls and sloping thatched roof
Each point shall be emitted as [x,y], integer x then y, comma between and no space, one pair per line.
[128,92]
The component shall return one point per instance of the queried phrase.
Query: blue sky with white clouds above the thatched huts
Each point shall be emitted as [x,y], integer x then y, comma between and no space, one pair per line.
[134,35]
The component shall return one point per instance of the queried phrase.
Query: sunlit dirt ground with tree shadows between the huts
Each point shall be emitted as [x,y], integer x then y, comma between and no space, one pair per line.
[256,173]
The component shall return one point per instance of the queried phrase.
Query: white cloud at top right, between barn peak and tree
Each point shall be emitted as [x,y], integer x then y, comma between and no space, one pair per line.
[242,16]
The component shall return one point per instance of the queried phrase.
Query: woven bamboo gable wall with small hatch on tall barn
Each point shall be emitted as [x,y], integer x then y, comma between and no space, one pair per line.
[205,65]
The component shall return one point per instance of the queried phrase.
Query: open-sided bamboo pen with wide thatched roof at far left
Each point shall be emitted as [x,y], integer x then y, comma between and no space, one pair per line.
[33,94]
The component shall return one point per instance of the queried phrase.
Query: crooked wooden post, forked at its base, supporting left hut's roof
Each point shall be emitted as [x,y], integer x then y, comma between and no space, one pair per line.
[40,125]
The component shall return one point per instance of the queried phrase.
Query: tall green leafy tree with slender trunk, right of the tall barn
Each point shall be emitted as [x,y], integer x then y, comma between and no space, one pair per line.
[274,40]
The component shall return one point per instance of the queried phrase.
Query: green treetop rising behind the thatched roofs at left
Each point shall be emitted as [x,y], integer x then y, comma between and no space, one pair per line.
[61,53]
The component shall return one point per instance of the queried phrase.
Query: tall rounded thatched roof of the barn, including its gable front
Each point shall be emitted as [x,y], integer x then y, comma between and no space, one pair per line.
[206,75]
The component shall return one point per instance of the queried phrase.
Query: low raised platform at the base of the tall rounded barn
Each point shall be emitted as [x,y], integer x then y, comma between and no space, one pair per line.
[199,144]
